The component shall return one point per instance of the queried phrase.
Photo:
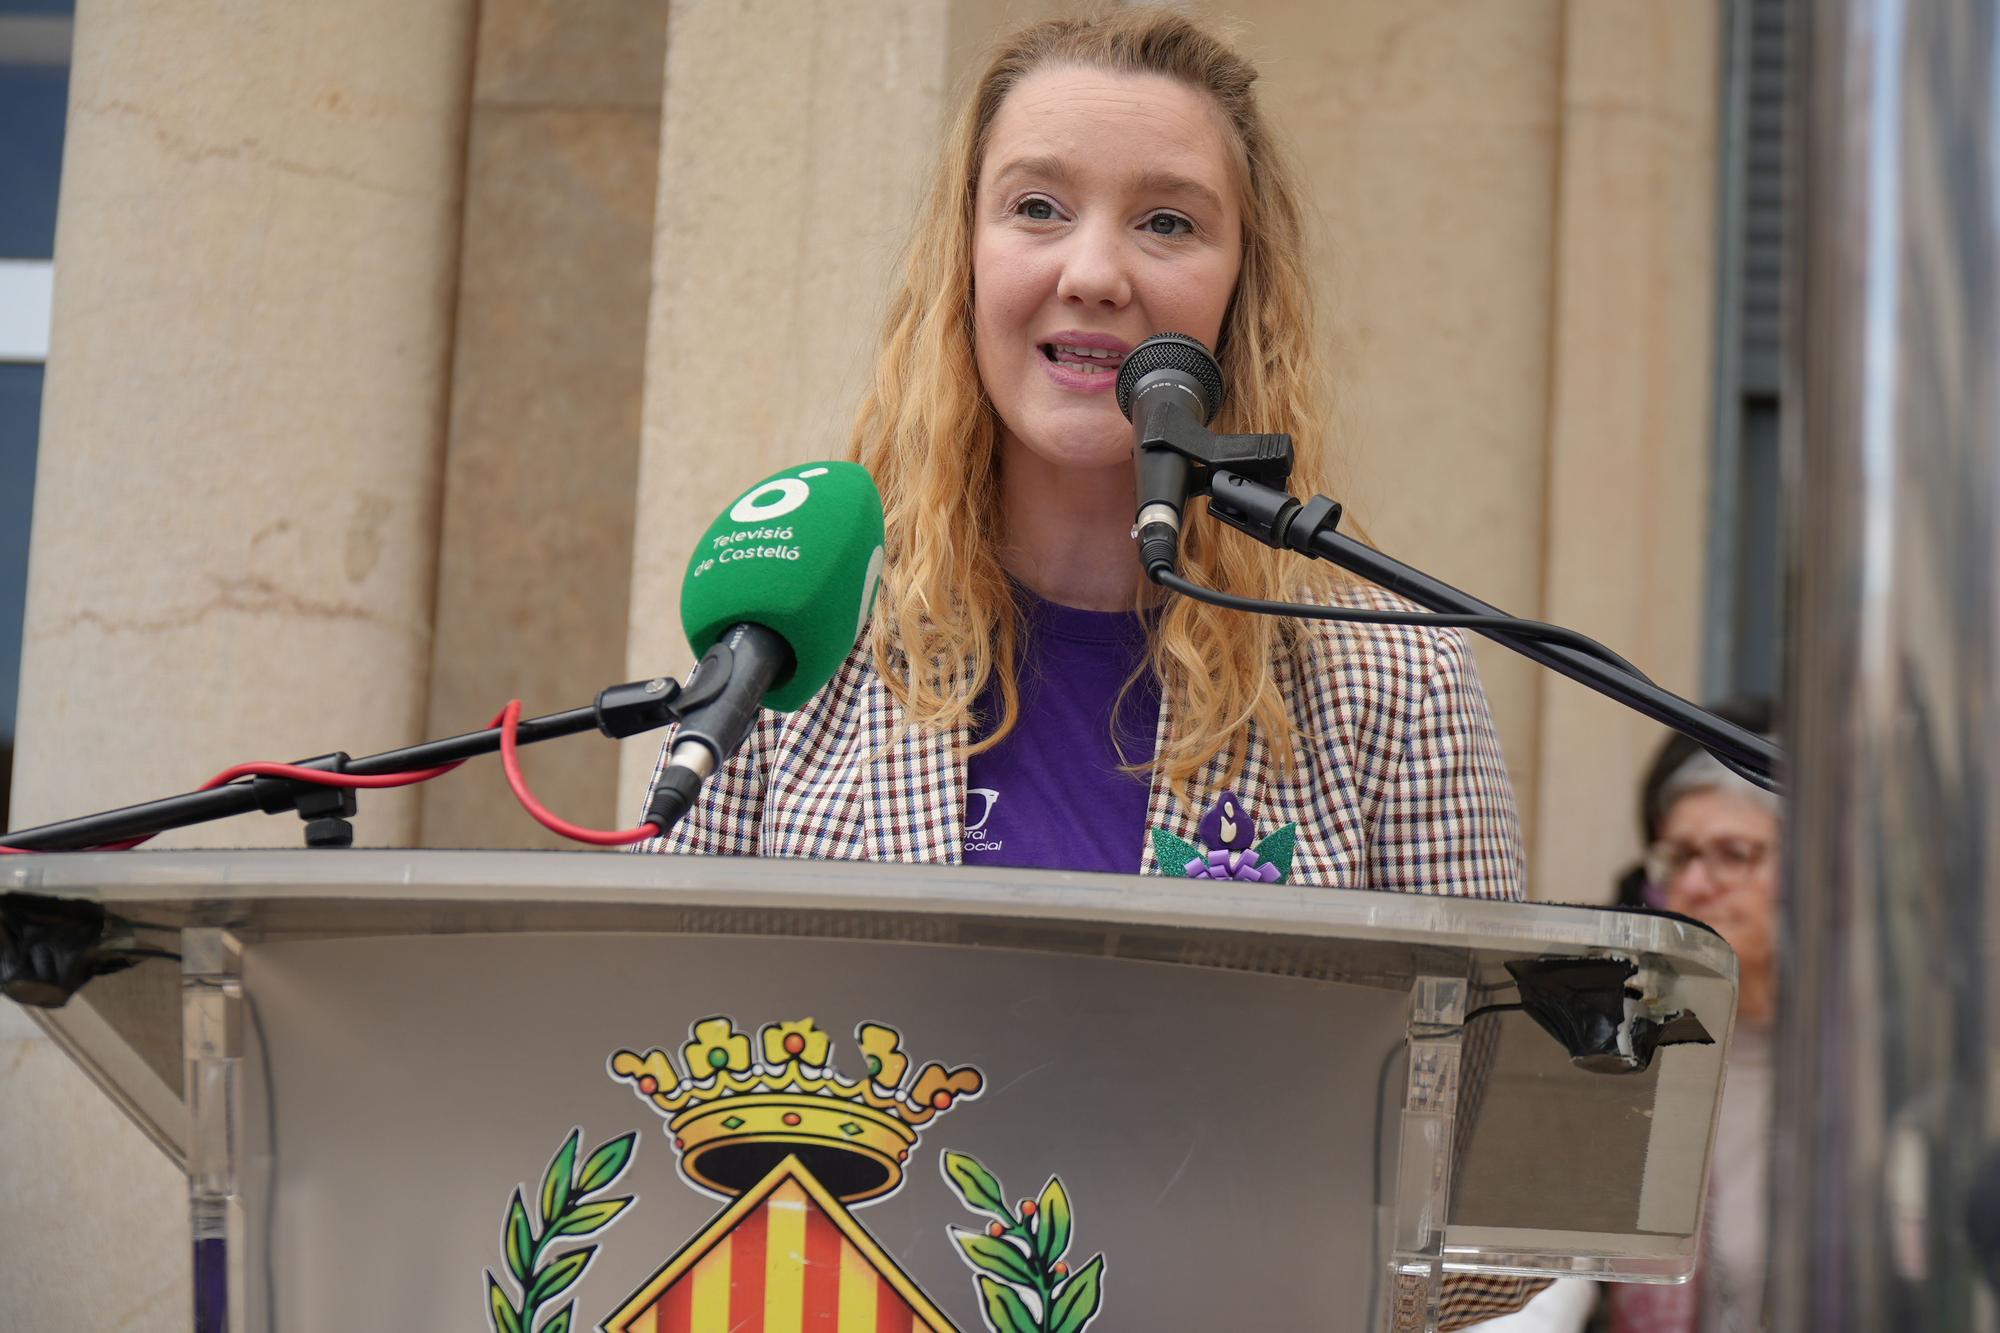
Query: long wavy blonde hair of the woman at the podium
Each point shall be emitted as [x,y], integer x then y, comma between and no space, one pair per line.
[947,617]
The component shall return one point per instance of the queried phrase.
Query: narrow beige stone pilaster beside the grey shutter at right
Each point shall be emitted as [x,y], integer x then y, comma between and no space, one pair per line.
[1633,349]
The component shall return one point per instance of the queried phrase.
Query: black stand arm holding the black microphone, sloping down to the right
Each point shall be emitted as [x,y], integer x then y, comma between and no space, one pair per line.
[1277,519]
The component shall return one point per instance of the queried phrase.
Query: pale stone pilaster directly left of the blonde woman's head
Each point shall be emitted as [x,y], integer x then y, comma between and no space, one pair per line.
[777,225]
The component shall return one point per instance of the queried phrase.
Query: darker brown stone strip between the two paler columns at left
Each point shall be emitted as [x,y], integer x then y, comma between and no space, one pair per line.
[537,551]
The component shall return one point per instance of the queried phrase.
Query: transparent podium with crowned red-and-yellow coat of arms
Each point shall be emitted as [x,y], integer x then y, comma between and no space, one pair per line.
[549,1092]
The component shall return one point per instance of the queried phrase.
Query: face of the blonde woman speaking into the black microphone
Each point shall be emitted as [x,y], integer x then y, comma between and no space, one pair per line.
[1107,213]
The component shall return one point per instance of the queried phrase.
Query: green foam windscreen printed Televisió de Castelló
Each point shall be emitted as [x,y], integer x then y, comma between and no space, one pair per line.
[801,553]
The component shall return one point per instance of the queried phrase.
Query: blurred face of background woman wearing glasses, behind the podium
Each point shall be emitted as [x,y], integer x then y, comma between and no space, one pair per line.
[1725,852]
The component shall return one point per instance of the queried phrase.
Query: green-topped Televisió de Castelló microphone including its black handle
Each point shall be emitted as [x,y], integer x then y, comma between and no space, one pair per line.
[779,589]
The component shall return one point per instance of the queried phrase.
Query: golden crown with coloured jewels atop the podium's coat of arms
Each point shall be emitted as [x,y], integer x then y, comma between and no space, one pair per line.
[737,1112]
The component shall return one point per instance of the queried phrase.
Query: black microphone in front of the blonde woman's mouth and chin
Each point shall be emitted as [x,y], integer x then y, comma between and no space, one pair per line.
[1169,389]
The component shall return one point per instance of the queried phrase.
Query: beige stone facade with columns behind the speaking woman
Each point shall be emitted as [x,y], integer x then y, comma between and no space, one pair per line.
[399,353]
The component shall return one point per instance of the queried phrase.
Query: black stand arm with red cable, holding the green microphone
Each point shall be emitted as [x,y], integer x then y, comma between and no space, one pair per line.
[621,712]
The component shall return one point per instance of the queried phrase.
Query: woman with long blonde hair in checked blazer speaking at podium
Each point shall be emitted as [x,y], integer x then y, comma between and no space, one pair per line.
[1023,698]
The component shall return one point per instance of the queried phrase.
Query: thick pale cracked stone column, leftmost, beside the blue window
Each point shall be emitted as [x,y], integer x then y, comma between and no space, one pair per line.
[237,503]
